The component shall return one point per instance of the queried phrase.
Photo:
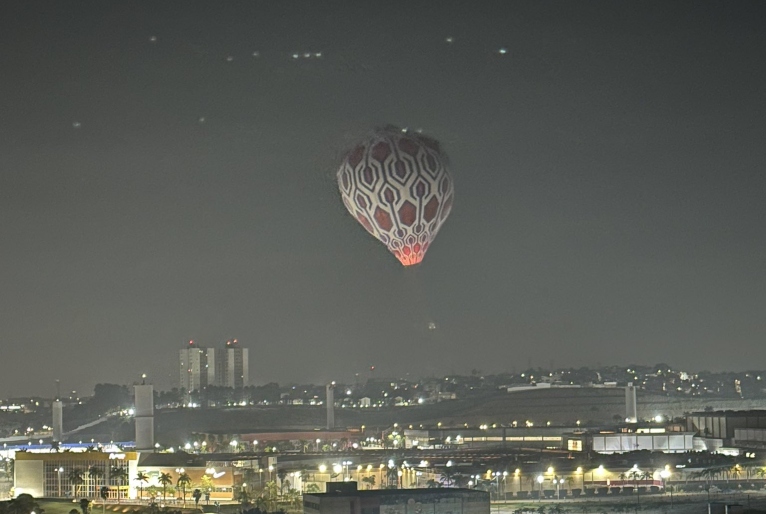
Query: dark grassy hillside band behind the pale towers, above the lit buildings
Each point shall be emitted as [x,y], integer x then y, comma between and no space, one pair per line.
[559,406]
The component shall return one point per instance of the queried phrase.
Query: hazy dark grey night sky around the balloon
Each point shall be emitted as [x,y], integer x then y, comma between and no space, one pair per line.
[609,176]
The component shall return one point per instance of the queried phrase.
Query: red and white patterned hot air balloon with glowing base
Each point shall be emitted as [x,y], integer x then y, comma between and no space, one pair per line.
[397,185]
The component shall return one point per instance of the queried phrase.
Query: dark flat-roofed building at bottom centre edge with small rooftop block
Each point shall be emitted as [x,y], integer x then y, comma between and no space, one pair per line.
[344,497]
